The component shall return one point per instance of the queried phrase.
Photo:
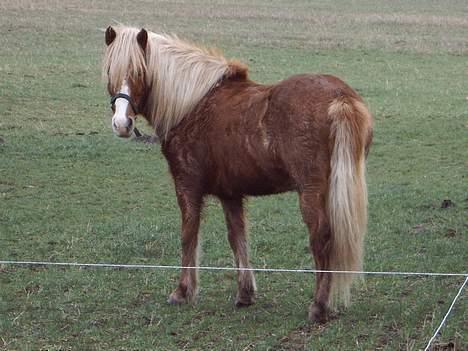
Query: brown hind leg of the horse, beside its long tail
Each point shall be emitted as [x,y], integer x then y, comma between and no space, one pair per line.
[315,217]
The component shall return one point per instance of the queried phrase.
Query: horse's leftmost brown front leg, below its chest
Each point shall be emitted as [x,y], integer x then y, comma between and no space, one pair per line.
[190,206]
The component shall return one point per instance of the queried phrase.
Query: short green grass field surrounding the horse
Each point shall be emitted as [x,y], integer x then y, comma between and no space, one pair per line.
[71,191]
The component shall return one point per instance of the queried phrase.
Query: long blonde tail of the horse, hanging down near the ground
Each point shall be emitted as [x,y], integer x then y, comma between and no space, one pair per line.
[351,126]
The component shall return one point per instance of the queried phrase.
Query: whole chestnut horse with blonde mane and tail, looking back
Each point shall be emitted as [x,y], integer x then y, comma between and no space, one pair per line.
[227,136]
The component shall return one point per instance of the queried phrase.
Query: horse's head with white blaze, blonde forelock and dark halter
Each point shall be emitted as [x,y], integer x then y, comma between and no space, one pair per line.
[125,67]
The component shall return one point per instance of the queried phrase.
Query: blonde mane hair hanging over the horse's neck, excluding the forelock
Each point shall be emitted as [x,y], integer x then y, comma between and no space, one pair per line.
[182,75]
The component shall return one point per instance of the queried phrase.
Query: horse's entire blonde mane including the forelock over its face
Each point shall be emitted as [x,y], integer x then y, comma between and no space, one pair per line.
[178,74]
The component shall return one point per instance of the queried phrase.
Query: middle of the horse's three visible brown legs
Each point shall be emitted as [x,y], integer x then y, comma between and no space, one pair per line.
[234,213]
